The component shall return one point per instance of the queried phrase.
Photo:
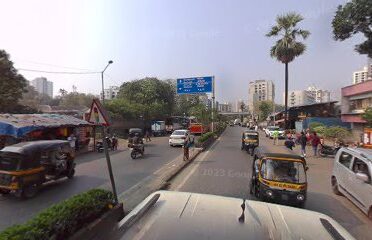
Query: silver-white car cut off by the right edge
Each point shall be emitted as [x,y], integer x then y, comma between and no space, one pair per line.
[351,177]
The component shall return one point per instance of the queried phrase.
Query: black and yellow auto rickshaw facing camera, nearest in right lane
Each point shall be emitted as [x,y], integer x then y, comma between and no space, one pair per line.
[280,178]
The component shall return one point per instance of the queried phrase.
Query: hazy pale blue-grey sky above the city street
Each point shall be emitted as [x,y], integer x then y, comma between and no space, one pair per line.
[173,39]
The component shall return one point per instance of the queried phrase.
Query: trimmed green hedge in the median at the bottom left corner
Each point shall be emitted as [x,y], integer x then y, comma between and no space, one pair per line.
[62,220]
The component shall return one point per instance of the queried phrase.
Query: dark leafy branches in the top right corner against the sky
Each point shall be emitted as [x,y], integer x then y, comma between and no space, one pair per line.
[353,18]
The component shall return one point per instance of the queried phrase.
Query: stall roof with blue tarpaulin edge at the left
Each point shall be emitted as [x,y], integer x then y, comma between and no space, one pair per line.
[18,125]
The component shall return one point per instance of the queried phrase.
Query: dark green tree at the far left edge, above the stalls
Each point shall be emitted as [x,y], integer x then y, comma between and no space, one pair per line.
[12,84]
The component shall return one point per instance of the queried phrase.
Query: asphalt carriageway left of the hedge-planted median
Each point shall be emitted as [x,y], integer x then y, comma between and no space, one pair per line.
[91,172]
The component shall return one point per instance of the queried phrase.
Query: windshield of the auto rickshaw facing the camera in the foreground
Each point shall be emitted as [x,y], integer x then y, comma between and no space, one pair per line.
[283,171]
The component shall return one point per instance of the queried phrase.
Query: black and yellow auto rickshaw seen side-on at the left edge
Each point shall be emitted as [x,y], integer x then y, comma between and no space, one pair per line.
[25,166]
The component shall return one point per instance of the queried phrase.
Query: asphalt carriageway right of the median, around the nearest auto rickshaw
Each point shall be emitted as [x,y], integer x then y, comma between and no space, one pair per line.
[225,170]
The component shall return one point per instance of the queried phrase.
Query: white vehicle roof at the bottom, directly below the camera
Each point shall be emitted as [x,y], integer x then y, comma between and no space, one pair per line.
[183,216]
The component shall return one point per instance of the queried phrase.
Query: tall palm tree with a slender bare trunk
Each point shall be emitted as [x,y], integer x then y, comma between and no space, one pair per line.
[286,49]
